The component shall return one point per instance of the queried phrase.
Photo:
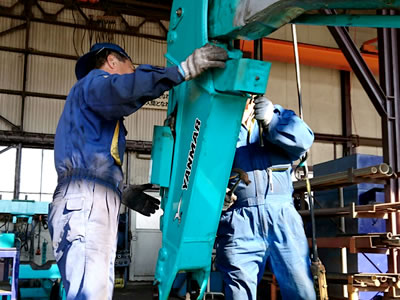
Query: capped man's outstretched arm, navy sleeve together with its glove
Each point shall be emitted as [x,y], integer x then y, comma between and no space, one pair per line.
[115,96]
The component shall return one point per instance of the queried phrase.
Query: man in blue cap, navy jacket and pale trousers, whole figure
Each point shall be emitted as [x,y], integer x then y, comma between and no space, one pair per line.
[89,148]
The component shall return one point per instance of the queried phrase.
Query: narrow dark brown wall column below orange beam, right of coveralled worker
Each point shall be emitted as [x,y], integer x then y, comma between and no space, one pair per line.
[347,130]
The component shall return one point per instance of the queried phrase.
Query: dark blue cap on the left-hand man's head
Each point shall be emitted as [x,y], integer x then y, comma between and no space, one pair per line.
[85,63]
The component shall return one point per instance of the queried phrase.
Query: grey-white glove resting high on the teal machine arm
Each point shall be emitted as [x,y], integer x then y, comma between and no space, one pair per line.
[208,56]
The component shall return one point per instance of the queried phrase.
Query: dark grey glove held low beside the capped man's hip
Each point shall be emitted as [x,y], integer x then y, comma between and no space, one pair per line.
[135,198]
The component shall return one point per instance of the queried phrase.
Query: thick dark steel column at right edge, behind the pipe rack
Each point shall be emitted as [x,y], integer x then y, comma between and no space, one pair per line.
[389,79]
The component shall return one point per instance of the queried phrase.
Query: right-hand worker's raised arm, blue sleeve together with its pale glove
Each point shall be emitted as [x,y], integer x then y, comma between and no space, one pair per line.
[283,128]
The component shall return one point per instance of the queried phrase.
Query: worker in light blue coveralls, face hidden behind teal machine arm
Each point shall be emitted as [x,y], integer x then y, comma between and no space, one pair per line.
[261,225]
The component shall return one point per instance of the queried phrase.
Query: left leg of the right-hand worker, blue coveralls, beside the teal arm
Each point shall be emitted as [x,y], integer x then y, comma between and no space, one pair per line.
[241,252]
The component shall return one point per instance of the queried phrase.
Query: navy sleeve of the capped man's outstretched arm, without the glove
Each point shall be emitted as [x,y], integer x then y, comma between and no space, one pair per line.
[115,96]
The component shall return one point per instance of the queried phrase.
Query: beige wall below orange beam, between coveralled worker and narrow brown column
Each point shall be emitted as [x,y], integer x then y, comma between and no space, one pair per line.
[320,97]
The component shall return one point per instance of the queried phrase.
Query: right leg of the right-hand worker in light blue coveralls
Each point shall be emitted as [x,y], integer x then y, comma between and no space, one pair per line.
[289,257]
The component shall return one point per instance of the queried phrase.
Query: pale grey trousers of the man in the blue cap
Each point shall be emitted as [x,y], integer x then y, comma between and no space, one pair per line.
[83,221]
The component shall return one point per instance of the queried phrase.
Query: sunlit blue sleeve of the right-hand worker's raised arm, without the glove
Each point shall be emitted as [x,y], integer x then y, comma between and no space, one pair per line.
[289,132]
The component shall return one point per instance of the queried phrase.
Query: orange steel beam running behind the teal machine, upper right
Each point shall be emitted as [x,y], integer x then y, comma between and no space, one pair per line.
[310,55]
